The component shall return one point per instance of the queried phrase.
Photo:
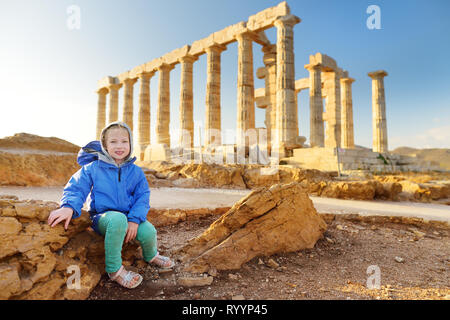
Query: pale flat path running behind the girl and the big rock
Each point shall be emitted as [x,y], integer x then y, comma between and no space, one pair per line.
[214,198]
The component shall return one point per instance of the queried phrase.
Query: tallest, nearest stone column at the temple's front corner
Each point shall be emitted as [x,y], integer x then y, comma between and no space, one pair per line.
[287,123]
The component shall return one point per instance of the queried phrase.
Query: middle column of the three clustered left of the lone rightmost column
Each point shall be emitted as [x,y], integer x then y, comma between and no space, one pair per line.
[332,91]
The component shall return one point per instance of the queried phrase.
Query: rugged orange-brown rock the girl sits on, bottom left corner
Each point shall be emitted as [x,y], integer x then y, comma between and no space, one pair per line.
[40,262]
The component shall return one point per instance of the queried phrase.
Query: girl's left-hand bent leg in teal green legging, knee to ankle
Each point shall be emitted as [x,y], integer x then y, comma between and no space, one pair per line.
[113,225]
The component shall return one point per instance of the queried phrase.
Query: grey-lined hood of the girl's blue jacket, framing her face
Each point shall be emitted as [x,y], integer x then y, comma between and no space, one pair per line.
[96,150]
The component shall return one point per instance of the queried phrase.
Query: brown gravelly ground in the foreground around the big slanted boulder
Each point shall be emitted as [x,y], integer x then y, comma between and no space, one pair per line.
[412,263]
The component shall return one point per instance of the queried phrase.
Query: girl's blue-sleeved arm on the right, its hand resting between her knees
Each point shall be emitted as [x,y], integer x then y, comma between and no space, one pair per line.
[139,210]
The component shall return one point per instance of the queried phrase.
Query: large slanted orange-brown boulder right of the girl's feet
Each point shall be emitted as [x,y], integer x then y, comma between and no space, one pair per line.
[269,220]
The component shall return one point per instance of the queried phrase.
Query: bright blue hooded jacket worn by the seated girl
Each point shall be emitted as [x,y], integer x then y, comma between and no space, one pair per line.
[122,188]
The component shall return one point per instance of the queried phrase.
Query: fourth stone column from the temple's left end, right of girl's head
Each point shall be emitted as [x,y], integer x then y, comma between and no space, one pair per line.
[143,115]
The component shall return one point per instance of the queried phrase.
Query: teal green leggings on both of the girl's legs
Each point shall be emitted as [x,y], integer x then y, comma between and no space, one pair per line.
[113,226]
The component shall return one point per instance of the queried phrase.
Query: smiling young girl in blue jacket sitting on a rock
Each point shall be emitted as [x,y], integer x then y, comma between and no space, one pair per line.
[119,201]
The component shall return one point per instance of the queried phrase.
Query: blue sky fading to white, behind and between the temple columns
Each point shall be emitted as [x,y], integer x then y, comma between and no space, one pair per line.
[49,72]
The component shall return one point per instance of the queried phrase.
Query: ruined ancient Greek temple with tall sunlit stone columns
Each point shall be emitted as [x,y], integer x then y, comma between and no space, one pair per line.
[331,131]
